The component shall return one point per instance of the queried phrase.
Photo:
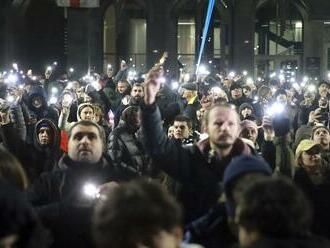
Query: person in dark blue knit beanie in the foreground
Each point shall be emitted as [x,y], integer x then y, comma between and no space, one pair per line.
[214,229]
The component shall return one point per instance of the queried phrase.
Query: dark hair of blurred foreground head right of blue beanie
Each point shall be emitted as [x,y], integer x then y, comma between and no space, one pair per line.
[275,208]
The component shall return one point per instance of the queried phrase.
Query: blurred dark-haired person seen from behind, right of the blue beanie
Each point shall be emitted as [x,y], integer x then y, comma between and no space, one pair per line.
[274,213]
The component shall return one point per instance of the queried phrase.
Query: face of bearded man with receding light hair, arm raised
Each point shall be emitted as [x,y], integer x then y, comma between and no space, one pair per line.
[223,127]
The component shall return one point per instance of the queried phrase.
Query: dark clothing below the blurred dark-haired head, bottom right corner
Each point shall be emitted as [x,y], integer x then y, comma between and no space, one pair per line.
[307,242]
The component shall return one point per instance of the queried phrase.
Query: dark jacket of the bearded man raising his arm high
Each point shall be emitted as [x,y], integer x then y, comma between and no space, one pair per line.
[195,167]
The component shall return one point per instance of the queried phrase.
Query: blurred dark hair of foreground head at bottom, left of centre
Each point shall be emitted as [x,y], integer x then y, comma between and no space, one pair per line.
[133,214]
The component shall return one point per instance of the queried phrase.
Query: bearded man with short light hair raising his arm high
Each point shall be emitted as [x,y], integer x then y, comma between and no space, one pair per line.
[200,167]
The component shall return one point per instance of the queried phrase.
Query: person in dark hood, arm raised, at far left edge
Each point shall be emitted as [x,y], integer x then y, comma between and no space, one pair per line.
[42,154]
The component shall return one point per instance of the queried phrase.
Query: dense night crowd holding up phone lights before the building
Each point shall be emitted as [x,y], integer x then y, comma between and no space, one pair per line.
[132,160]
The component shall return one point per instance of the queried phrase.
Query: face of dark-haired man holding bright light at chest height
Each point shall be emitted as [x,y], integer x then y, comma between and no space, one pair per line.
[85,144]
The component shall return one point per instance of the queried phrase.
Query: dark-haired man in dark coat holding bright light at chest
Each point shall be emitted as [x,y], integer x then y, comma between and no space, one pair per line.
[61,196]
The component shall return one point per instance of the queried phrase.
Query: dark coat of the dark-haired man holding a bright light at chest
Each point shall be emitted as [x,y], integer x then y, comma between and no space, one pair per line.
[61,204]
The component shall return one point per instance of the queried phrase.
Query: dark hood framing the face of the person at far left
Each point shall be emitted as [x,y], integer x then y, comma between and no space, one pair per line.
[54,132]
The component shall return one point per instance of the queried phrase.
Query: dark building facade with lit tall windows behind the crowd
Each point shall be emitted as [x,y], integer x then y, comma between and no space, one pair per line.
[258,36]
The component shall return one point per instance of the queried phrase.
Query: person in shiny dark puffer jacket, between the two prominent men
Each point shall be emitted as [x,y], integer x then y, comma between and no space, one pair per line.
[125,147]
